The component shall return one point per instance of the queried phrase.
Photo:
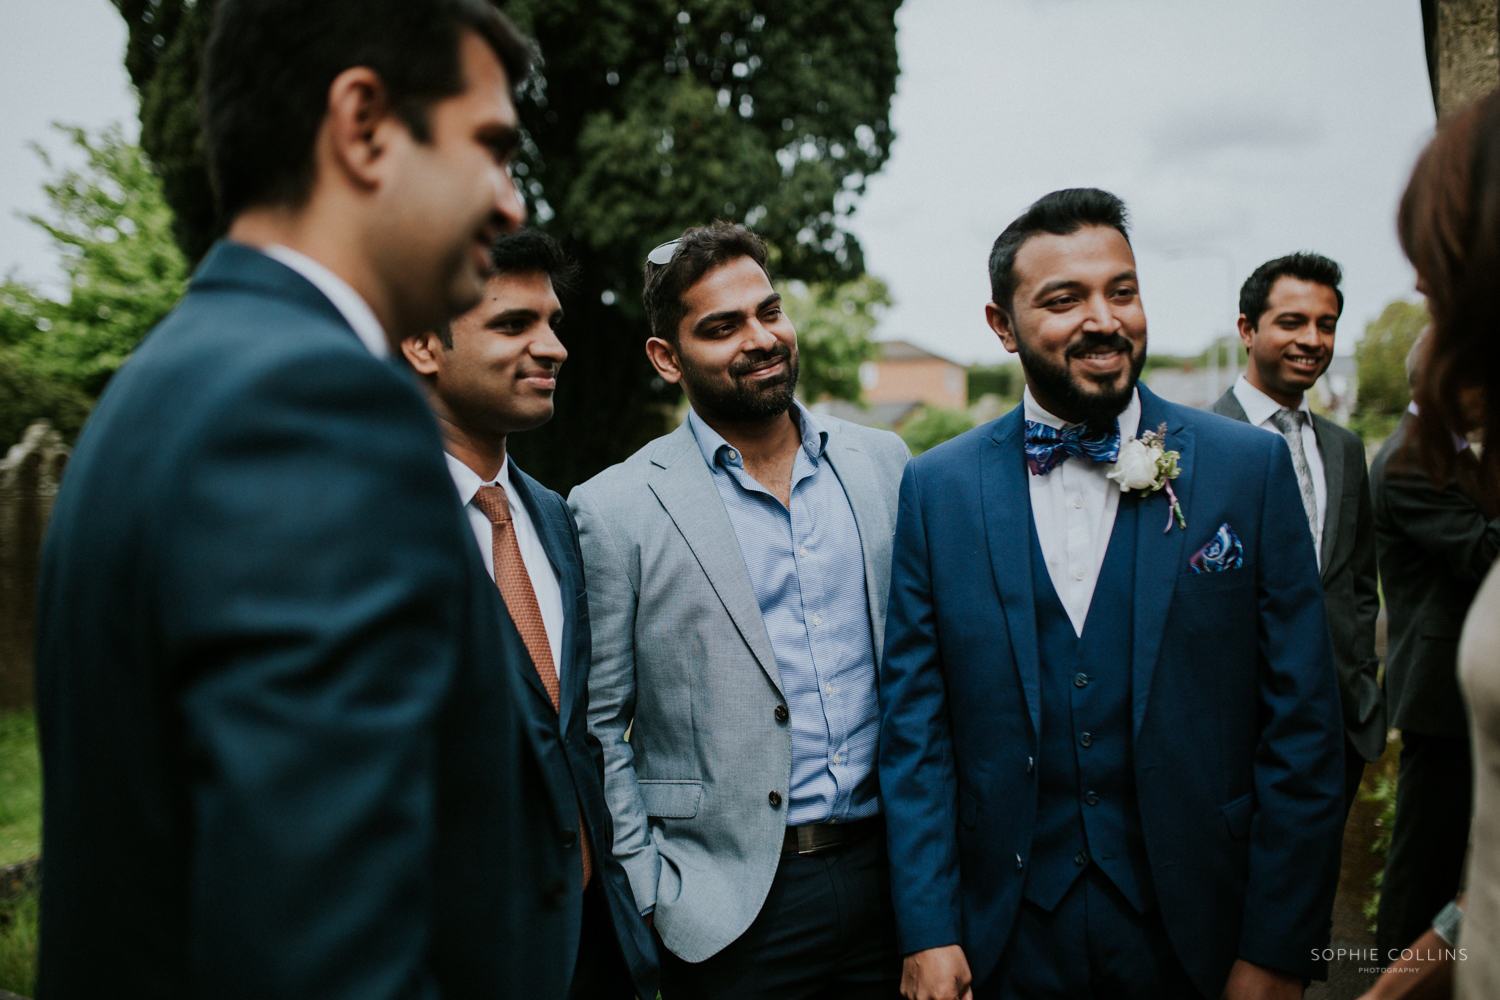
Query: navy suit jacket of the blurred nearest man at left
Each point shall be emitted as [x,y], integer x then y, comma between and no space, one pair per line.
[283,741]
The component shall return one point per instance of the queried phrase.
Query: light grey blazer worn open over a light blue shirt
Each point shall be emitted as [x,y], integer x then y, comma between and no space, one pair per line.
[682,654]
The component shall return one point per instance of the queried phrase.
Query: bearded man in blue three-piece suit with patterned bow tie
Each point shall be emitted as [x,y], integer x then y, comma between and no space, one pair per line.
[1111,746]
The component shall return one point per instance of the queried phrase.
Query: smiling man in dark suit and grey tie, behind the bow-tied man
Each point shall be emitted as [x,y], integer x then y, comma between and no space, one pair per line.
[1289,314]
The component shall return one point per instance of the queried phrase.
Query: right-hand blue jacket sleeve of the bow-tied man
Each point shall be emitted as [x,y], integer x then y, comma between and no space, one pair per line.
[1297,834]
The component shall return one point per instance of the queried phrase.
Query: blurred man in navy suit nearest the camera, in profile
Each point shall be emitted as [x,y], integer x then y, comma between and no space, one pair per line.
[281,734]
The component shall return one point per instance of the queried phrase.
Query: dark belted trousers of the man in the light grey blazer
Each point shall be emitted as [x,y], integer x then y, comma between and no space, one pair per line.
[827,932]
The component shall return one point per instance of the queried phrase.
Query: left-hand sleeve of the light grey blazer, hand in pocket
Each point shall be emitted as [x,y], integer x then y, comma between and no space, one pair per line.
[613,695]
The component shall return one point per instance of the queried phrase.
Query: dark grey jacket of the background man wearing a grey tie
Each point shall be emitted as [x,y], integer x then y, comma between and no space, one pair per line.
[1348,557]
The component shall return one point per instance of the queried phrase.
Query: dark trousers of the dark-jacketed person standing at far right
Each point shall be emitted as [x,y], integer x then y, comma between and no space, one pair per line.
[1435,792]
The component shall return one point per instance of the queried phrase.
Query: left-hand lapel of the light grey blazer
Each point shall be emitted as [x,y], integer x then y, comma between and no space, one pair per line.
[686,490]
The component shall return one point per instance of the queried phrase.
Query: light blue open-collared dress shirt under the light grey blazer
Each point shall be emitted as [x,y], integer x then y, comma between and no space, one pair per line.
[808,570]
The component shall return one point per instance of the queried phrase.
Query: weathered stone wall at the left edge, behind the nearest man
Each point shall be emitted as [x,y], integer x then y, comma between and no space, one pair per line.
[29,479]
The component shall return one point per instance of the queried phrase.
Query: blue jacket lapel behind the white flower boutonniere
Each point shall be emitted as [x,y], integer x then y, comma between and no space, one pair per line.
[1159,554]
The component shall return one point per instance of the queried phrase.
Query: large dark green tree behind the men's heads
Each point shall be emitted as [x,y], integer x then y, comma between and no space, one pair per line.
[646,118]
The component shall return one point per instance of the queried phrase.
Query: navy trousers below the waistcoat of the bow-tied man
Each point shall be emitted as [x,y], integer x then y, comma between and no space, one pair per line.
[1094,945]
